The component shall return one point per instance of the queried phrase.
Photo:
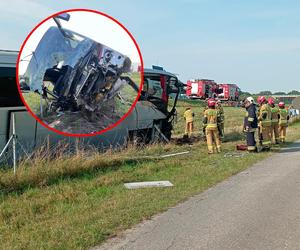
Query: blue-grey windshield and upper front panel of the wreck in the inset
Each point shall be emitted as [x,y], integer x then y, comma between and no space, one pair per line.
[54,47]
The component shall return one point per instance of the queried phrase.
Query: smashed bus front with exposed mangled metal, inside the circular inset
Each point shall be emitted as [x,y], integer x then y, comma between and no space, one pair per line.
[73,72]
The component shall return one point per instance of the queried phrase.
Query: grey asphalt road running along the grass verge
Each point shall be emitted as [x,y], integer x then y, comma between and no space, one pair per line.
[256,209]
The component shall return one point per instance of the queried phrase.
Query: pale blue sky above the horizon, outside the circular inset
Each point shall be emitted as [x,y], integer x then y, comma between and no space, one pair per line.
[255,44]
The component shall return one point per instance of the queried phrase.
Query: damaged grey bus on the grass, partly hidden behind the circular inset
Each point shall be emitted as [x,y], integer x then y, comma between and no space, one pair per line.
[150,120]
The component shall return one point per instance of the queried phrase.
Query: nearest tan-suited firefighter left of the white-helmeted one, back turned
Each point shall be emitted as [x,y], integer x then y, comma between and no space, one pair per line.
[210,123]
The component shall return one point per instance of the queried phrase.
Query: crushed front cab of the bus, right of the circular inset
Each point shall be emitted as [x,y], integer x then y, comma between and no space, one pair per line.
[155,111]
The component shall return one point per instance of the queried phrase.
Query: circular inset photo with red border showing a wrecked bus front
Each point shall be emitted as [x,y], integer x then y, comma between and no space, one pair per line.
[80,72]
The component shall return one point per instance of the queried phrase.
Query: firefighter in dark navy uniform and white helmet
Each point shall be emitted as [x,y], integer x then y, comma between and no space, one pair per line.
[250,123]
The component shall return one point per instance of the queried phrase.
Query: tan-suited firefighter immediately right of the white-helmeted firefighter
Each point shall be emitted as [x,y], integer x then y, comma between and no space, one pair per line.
[264,118]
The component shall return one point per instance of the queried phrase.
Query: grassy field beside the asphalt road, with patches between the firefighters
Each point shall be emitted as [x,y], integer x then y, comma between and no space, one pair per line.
[76,202]
